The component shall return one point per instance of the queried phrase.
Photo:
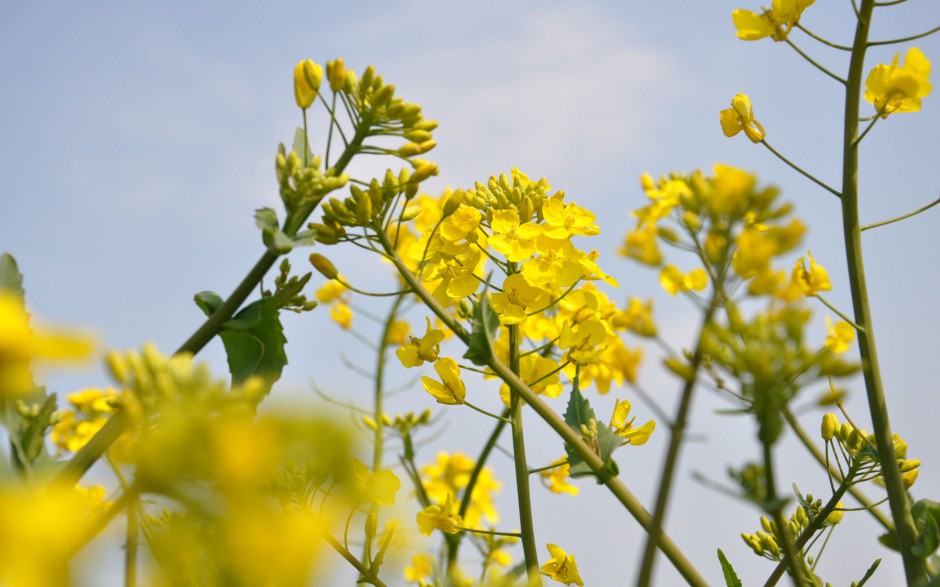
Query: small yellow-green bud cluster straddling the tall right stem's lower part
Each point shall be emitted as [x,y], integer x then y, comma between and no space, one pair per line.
[859,449]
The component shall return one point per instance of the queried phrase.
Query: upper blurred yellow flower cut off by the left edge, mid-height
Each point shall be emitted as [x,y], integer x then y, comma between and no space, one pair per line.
[21,345]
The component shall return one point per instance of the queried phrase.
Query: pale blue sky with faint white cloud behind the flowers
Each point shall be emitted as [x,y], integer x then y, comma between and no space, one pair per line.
[137,139]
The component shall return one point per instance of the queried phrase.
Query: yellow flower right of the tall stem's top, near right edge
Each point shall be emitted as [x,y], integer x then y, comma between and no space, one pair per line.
[899,89]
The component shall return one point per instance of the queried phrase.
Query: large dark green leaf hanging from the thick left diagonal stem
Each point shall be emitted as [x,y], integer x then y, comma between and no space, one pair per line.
[254,342]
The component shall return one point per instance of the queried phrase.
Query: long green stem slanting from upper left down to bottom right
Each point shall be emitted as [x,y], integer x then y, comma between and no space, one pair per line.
[561,428]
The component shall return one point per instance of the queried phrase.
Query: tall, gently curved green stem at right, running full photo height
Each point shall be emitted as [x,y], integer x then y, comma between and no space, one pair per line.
[914,568]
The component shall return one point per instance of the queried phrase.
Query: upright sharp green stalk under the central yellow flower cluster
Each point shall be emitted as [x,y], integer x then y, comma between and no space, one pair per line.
[529,547]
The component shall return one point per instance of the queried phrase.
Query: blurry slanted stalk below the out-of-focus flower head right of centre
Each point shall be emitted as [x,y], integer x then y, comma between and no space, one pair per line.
[677,431]
